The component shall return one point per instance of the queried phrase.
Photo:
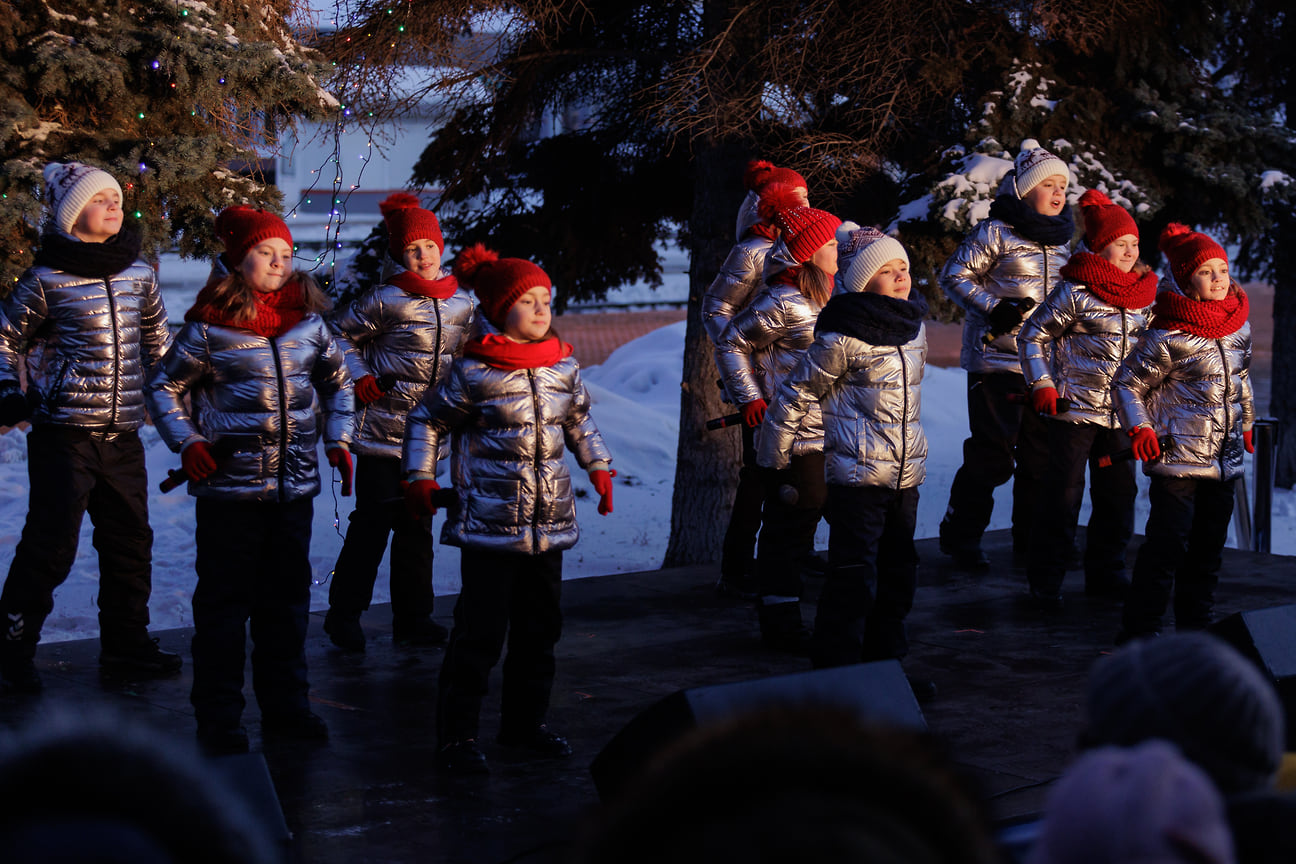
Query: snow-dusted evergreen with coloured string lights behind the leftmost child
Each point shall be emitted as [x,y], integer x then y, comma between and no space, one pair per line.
[178,99]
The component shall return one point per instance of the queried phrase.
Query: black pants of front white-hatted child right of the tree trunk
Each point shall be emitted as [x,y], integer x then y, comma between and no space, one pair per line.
[873,576]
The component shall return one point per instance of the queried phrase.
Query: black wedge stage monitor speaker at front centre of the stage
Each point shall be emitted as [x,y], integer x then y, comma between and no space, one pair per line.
[875,692]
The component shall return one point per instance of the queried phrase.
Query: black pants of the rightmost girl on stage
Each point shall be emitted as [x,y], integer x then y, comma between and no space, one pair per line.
[1186,532]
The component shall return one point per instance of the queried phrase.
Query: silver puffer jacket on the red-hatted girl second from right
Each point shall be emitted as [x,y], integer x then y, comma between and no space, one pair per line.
[1074,344]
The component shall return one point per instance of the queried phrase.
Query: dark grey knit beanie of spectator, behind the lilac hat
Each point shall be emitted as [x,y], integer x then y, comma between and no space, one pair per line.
[1198,692]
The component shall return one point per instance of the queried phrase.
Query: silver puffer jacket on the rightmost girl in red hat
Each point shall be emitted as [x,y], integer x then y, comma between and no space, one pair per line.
[1194,389]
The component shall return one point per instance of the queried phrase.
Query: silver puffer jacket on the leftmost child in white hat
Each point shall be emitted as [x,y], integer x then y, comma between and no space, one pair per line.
[90,344]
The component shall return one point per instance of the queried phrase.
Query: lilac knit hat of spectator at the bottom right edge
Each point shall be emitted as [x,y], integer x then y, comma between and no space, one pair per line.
[1145,804]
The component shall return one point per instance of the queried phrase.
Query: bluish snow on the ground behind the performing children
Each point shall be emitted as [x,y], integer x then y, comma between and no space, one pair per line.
[637,406]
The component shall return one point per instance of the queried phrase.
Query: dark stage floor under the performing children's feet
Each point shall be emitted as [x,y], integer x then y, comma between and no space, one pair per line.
[1010,687]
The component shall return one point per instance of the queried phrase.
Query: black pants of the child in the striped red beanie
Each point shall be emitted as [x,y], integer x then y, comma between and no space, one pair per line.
[794,506]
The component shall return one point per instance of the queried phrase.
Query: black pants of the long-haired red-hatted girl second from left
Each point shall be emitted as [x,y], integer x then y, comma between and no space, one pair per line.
[253,563]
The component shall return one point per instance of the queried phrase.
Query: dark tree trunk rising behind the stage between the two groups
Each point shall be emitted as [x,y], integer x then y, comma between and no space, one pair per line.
[707,463]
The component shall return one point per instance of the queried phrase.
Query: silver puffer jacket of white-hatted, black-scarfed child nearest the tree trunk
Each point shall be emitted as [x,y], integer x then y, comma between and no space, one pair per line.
[872,398]
